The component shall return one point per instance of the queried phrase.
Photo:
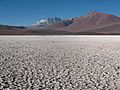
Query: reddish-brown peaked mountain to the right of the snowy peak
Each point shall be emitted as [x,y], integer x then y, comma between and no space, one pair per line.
[91,21]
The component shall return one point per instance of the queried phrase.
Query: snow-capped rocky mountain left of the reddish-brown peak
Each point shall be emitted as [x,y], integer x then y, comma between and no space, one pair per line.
[50,23]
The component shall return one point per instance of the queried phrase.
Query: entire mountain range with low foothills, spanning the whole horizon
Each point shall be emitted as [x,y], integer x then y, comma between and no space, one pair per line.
[93,23]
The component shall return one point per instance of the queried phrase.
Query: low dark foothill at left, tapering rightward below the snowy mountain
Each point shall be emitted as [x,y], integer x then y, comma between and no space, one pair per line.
[19,30]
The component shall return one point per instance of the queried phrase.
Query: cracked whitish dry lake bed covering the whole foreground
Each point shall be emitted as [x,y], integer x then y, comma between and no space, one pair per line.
[59,62]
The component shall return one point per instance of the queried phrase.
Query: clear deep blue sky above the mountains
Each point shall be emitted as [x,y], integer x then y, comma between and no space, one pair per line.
[27,12]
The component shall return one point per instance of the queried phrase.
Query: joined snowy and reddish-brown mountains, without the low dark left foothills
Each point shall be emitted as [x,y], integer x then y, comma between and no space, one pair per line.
[91,22]
